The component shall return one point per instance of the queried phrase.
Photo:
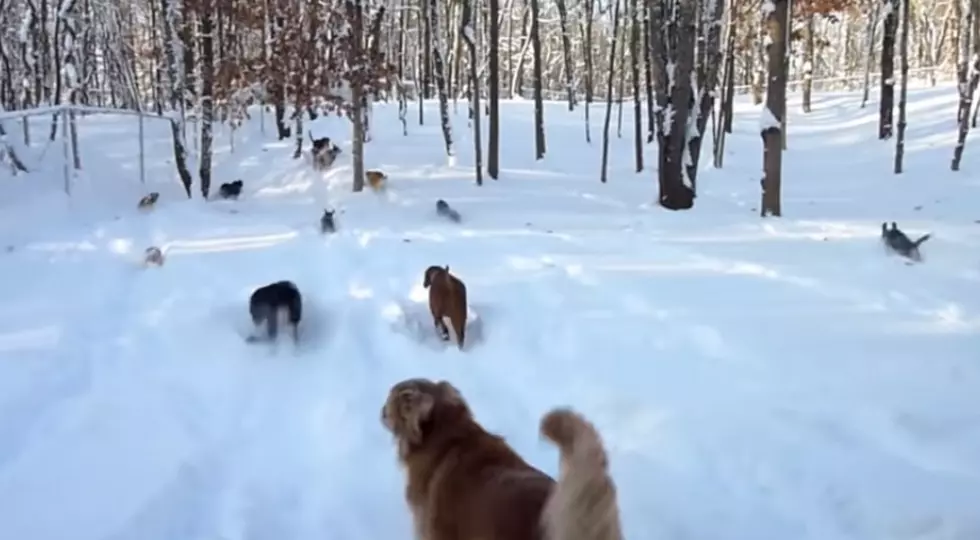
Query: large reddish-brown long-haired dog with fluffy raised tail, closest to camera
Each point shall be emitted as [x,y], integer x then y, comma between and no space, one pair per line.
[465,483]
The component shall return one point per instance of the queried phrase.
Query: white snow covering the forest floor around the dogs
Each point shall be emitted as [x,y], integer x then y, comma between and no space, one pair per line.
[753,379]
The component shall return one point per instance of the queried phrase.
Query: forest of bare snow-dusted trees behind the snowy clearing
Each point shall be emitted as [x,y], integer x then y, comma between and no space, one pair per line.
[678,64]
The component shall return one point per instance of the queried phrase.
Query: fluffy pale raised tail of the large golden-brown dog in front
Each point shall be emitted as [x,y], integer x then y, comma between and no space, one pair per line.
[583,505]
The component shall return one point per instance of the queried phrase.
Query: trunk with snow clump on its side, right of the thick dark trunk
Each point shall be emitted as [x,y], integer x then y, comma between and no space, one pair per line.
[775,110]
